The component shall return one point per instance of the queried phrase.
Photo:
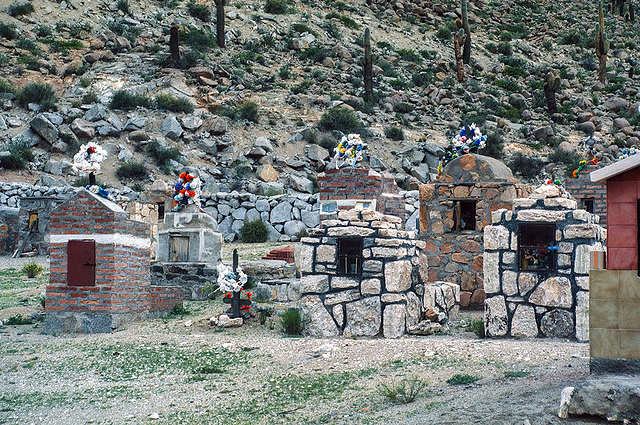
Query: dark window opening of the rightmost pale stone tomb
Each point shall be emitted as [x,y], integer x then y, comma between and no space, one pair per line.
[537,247]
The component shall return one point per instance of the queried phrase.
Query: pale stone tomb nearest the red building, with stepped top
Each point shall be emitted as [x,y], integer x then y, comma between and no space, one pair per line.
[536,267]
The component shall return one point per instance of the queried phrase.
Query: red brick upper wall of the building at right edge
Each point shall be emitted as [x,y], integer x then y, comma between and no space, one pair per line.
[622,223]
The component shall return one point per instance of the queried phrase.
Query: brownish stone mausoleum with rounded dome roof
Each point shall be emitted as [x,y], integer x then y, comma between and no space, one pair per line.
[453,214]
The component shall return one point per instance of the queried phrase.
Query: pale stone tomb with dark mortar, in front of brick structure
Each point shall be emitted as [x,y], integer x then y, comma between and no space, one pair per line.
[363,276]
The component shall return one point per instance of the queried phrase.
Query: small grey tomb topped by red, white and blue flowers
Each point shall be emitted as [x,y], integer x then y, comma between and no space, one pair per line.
[189,249]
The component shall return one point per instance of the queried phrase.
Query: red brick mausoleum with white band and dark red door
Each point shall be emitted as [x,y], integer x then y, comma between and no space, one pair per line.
[99,261]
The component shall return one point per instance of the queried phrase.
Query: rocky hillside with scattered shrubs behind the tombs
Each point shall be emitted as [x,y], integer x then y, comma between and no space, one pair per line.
[260,115]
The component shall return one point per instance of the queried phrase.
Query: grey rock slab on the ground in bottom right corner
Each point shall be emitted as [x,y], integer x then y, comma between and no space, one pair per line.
[612,397]
